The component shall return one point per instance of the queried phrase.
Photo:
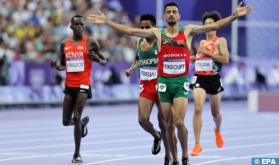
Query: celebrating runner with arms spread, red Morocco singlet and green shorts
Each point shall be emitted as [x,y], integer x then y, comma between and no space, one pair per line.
[173,89]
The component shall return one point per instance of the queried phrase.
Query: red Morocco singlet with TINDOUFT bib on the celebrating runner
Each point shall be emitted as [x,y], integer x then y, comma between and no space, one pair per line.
[174,56]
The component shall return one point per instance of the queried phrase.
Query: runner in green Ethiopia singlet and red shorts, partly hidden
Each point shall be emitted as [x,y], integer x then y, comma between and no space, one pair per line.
[147,59]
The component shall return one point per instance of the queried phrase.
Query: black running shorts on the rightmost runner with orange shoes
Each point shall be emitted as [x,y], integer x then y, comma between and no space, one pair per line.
[211,84]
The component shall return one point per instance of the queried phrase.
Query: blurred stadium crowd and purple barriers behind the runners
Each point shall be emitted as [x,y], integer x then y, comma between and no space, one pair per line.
[31,32]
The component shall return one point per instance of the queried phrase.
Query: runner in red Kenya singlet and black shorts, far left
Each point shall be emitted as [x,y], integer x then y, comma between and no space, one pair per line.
[77,54]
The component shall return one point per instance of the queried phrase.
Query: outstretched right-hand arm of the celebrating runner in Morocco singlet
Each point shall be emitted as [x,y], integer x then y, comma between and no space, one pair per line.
[240,11]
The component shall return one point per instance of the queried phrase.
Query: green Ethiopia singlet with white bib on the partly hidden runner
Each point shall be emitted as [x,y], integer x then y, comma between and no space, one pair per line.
[147,62]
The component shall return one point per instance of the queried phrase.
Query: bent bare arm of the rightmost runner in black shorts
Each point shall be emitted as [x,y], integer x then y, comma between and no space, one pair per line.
[223,56]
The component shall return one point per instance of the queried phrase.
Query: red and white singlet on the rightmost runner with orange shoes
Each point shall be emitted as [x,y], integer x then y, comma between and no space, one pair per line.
[204,64]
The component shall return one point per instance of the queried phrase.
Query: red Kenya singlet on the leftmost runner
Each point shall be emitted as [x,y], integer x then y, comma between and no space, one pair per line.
[78,64]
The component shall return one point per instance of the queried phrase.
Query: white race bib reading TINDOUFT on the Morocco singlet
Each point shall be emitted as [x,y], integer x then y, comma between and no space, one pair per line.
[174,66]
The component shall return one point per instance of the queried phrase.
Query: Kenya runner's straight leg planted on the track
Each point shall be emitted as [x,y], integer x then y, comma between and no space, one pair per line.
[78,108]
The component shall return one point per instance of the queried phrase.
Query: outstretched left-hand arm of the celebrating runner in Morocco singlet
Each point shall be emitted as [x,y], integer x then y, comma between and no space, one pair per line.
[102,19]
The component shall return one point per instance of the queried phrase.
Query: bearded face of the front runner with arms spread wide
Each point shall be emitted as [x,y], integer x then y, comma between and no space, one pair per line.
[171,15]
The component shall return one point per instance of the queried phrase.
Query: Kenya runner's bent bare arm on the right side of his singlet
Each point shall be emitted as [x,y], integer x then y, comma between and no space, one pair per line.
[94,52]
